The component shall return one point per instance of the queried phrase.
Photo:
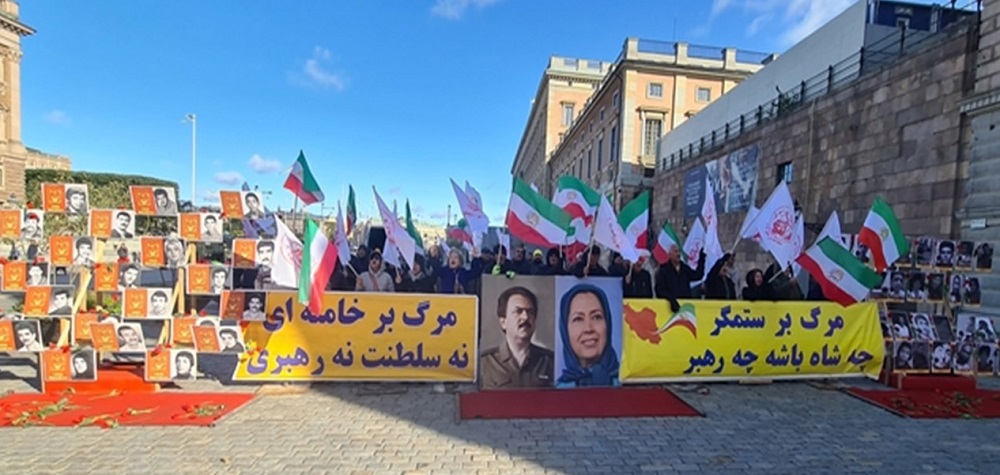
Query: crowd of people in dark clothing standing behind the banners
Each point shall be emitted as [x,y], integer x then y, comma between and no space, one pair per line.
[455,273]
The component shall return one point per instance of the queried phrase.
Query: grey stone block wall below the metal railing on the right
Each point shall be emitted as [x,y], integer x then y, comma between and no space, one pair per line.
[895,133]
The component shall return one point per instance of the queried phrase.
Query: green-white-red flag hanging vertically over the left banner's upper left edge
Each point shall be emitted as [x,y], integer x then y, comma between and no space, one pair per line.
[319,259]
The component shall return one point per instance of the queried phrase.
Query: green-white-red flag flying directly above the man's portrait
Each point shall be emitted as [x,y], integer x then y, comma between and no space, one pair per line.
[534,219]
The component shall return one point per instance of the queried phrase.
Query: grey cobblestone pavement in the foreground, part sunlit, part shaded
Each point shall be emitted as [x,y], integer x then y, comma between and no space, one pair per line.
[396,428]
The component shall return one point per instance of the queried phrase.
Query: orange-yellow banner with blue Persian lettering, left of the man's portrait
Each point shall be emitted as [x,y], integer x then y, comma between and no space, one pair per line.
[364,336]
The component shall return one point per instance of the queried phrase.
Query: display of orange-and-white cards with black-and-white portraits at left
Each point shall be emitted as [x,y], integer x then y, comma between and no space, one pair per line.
[137,271]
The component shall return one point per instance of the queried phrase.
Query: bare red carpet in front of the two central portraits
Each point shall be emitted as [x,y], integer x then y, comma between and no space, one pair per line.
[573,403]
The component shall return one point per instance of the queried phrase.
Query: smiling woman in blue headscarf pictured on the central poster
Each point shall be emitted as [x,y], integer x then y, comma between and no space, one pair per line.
[589,358]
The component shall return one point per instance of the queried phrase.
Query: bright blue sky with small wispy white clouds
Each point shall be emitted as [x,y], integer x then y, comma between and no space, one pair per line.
[401,95]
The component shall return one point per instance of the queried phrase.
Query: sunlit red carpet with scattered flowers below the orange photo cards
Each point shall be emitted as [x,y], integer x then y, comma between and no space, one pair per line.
[114,409]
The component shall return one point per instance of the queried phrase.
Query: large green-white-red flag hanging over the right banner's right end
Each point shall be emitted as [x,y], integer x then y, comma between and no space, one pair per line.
[844,278]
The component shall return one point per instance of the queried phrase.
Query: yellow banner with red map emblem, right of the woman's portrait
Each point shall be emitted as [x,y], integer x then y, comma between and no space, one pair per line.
[732,340]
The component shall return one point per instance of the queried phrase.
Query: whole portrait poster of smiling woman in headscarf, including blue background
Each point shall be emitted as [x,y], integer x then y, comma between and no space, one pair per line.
[589,337]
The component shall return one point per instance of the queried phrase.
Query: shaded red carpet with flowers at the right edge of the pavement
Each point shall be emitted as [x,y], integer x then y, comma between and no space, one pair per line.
[935,404]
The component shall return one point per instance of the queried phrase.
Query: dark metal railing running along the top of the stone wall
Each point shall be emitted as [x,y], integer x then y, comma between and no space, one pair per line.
[872,58]
